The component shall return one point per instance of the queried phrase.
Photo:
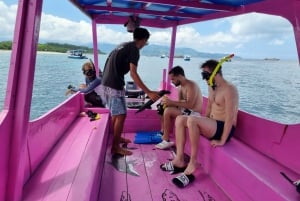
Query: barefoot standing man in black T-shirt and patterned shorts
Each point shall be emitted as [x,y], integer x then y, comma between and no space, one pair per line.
[122,60]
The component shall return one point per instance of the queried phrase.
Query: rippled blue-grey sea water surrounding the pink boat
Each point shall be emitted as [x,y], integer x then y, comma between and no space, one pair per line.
[268,89]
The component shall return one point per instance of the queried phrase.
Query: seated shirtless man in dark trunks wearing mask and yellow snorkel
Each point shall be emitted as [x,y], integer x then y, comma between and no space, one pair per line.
[218,125]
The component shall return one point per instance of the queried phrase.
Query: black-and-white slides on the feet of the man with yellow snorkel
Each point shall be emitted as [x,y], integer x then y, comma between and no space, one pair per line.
[181,180]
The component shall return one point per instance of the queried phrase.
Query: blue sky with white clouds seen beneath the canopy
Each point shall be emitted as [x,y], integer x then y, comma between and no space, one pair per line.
[249,36]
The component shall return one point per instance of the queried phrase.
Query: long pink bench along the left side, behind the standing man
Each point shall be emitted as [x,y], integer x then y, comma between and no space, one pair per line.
[71,170]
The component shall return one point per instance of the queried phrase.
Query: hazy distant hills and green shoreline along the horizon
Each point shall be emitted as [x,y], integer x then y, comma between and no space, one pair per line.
[104,48]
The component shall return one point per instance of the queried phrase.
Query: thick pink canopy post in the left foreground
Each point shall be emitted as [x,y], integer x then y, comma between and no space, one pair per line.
[19,91]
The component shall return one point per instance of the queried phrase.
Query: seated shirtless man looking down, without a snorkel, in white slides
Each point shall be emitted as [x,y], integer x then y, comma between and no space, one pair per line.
[189,97]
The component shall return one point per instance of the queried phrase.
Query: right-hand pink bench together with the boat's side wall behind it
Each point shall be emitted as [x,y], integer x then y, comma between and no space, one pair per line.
[249,166]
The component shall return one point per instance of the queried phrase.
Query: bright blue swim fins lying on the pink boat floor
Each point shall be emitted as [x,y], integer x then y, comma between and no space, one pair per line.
[147,137]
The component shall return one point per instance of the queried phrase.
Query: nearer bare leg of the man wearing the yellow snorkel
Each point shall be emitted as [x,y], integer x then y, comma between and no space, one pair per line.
[198,125]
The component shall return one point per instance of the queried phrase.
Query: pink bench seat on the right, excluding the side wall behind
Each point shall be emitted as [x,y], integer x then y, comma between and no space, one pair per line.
[246,174]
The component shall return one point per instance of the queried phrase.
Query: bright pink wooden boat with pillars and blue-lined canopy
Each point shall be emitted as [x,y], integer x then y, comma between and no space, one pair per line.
[65,156]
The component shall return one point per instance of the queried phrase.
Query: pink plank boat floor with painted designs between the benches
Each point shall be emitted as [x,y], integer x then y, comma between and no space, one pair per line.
[139,177]
